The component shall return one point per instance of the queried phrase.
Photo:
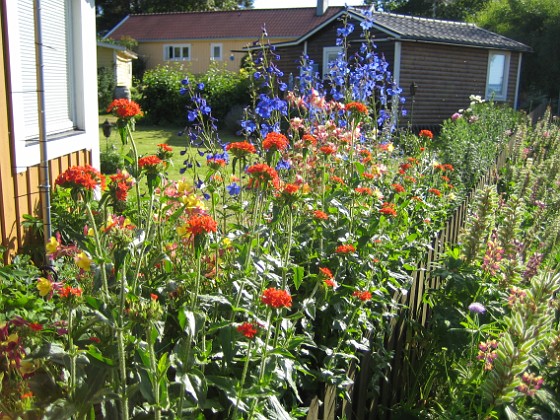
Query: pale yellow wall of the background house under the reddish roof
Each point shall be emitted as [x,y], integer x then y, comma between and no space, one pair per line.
[153,53]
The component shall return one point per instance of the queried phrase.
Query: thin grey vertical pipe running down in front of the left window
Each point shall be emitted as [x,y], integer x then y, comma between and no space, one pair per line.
[44,179]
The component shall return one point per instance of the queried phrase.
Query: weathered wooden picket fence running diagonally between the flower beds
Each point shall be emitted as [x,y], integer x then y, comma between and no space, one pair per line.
[401,340]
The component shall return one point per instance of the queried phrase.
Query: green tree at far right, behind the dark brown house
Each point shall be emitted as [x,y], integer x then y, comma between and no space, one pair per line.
[537,24]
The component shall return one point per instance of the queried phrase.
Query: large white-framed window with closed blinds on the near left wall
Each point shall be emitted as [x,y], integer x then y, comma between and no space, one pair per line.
[67,28]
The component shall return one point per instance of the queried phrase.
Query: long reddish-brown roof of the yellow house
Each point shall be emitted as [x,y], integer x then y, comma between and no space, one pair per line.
[240,24]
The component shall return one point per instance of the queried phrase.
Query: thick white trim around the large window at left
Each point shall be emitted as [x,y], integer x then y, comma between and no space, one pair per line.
[27,154]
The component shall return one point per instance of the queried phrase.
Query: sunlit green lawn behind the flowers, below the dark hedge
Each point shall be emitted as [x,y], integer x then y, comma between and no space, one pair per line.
[147,137]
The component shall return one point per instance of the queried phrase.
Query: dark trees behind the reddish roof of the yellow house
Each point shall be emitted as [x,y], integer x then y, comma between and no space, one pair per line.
[111,12]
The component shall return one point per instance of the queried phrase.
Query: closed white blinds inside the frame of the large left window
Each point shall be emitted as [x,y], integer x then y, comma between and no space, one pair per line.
[56,41]
